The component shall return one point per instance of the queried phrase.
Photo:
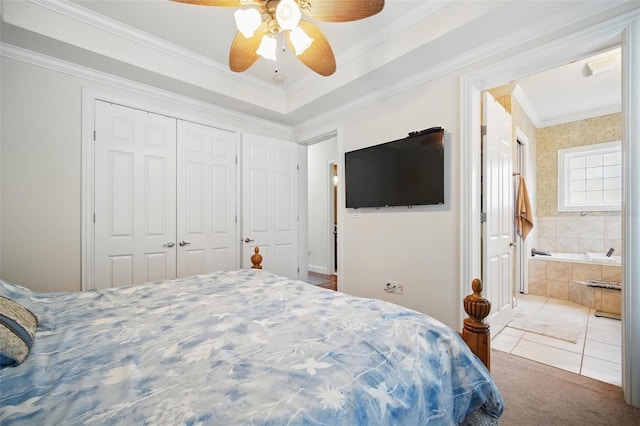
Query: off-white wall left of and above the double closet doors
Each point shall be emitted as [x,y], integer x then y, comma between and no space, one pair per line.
[41,170]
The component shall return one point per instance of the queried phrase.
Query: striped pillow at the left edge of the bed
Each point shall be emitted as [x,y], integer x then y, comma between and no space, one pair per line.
[17,330]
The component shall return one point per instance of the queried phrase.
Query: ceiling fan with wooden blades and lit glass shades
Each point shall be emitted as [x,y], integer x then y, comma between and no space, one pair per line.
[260,21]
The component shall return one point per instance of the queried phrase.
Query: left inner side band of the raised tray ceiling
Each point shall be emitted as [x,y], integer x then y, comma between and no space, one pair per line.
[69,23]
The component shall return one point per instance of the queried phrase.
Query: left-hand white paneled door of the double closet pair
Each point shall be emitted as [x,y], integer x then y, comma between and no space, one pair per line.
[135,196]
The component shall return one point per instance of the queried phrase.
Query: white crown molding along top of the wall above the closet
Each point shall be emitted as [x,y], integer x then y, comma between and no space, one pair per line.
[54,64]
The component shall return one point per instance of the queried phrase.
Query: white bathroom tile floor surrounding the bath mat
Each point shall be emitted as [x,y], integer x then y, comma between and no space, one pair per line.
[596,354]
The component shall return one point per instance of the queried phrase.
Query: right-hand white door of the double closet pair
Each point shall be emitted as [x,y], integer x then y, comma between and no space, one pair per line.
[206,222]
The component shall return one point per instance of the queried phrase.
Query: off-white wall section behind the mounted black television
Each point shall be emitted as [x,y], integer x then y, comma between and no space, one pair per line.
[418,246]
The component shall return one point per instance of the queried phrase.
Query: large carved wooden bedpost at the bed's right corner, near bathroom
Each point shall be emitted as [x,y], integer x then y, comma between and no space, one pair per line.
[475,330]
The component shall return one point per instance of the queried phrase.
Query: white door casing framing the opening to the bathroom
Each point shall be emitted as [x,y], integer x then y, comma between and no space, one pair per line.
[563,51]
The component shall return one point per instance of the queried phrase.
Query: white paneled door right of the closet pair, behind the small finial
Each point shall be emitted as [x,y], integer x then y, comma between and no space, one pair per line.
[269,203]
